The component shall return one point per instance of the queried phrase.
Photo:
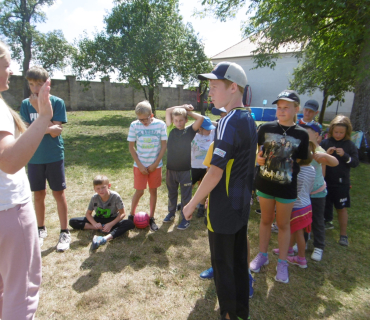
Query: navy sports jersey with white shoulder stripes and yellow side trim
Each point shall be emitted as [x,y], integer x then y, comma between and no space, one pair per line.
[234,152]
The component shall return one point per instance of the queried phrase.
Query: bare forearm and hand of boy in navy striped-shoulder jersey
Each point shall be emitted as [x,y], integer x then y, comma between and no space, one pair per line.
[210,180]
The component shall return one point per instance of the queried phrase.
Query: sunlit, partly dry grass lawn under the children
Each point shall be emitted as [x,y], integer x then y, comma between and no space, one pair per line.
[147,275]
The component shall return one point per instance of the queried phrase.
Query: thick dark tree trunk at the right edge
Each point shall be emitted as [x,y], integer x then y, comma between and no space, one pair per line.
[360,115]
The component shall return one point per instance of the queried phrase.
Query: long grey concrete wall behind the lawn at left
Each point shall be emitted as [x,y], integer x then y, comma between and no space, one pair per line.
[101,95]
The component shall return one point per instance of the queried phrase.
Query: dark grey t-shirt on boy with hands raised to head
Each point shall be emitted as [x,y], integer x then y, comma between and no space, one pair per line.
[179,148]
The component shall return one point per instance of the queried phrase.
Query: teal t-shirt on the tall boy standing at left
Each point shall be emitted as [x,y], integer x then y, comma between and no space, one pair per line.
[50,149]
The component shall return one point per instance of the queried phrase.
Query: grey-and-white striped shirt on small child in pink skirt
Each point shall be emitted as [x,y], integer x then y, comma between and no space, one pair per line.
[305,180]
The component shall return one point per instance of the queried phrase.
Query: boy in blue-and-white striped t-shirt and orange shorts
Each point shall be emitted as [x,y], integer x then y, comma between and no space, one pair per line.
[150,136]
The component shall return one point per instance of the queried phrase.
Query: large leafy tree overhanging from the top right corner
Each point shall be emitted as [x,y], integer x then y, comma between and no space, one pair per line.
[337,31]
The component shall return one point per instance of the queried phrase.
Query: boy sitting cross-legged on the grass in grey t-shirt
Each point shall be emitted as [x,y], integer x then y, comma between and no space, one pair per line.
[109,214]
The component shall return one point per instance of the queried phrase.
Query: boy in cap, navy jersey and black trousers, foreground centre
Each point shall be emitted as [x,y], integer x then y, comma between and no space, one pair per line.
[229,182]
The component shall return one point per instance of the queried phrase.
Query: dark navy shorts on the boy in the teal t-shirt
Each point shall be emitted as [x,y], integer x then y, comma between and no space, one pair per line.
[52,172]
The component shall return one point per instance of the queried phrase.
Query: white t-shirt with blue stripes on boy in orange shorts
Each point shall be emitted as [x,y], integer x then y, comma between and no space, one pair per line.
[148,140]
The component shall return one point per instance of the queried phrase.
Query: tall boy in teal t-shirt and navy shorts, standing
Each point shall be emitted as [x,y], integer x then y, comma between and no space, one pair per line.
[48,161]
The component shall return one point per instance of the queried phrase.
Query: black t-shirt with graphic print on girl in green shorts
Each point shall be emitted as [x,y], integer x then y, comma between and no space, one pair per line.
[278,177]
